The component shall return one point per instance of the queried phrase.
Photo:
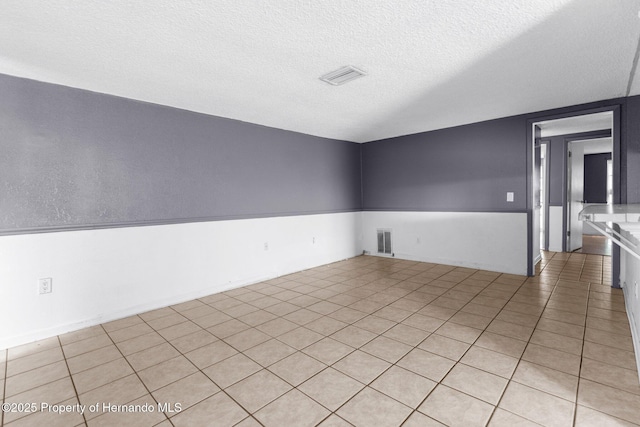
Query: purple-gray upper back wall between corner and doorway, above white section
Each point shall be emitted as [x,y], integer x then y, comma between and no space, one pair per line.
[466,168]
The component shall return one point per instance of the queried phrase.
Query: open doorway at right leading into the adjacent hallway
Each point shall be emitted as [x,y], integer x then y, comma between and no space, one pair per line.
[574,158]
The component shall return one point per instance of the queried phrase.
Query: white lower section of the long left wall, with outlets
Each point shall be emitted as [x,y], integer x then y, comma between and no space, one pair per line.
[102,275]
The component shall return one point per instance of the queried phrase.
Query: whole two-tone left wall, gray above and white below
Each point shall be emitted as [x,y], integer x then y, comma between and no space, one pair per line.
[130,206]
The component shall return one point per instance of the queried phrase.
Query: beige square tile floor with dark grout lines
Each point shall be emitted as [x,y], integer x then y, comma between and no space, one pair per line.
[366,342]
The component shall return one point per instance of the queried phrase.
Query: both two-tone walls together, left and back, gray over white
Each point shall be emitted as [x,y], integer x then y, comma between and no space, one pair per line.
[152,206]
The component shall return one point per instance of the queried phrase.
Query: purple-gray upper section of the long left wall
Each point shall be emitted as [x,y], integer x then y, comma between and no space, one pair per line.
[72,158]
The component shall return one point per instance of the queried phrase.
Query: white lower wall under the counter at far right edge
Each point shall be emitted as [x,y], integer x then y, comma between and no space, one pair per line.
[630,280]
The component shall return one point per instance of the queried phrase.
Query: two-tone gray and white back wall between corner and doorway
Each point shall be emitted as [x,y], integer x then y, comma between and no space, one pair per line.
[444,195]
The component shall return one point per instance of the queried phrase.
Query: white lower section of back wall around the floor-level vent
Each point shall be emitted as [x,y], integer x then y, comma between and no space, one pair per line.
[488,241]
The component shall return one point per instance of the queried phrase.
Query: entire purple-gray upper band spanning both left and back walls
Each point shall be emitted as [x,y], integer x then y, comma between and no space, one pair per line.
[73,159]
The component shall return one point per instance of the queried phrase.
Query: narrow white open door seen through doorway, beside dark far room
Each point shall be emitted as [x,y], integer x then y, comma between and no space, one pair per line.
[575,195]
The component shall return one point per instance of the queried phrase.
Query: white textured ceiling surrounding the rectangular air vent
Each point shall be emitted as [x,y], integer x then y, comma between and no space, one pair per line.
[431,63]
